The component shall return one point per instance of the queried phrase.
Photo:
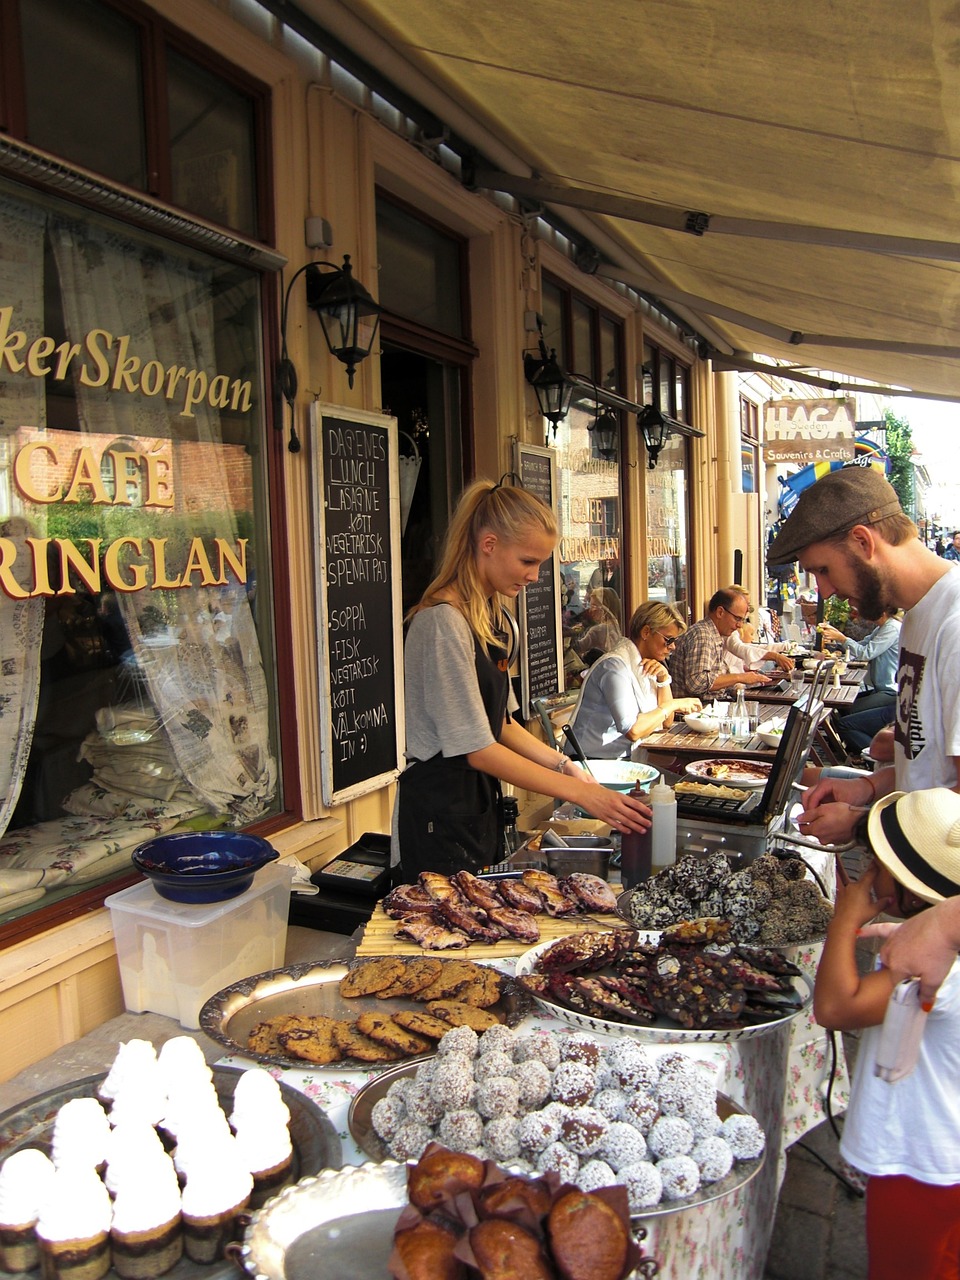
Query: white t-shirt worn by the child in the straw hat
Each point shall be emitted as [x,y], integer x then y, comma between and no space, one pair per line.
[913,1126]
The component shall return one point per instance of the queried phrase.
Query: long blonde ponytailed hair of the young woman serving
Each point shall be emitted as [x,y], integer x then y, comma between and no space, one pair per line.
[509,511]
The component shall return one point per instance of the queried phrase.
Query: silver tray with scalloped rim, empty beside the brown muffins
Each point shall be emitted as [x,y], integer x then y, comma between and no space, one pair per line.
[335,1227]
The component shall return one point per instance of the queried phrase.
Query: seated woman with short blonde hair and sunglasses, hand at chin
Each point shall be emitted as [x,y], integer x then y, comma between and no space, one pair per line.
[627,694]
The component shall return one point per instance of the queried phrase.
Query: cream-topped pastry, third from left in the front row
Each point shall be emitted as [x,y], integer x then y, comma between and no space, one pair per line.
[147,1236]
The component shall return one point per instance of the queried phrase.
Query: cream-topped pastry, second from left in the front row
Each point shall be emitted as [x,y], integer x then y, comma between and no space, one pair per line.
[74,1229]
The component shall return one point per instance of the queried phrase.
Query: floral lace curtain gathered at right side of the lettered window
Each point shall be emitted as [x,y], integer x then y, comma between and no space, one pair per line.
[198,657]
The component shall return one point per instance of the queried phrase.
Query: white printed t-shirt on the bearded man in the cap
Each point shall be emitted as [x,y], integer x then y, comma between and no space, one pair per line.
[929,678]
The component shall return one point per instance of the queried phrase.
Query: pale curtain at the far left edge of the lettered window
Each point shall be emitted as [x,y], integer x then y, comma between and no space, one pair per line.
[21,404]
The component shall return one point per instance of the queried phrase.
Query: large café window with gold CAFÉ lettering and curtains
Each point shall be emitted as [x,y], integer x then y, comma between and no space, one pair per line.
[138,652]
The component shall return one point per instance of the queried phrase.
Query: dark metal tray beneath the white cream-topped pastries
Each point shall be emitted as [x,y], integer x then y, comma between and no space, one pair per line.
[317,1145]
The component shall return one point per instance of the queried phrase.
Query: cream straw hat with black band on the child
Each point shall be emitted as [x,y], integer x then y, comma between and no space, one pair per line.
[917,838]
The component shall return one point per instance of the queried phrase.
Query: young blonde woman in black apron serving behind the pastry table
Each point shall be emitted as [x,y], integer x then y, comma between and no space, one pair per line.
[461,739]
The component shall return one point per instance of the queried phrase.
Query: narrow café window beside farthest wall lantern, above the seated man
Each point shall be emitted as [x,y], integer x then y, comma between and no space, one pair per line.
[666,383]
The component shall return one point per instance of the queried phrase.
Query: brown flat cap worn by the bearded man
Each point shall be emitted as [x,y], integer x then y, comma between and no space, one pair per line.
[852,496]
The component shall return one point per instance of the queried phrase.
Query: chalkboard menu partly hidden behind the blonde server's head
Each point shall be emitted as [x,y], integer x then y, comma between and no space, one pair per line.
[541,652]
